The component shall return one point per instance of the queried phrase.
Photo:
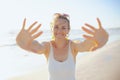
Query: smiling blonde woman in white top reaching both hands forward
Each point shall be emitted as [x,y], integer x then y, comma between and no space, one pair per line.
[61,52]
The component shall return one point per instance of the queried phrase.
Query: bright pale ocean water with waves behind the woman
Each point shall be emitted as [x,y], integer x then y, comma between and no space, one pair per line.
[15,61]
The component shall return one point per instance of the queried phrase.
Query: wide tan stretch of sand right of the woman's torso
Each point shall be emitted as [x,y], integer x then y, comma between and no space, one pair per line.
[103,64]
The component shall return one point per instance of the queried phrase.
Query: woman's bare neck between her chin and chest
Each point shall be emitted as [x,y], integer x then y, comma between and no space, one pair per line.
[61,43]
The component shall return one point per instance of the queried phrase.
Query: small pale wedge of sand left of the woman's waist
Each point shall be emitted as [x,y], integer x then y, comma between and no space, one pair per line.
[38,74]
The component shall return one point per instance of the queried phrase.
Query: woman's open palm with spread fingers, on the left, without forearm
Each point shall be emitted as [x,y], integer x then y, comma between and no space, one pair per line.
[26,36]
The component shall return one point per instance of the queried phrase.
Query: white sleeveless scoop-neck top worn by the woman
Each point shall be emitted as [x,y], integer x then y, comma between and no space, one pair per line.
[61,70]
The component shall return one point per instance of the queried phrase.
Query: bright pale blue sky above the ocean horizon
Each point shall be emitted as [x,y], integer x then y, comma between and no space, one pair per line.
[12,12]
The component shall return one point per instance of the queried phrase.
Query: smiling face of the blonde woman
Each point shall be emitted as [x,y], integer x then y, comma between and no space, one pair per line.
[60,28]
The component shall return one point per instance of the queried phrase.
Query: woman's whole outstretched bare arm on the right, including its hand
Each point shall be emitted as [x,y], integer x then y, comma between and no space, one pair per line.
[96,38]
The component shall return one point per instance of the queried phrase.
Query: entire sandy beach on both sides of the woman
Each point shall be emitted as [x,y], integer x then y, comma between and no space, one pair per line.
[102,64]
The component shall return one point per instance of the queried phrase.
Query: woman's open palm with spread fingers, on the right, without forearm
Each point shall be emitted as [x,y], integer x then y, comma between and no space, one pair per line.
[100,36]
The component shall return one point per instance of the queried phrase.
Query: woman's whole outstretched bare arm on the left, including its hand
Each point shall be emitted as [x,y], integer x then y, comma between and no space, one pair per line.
[26,38]
